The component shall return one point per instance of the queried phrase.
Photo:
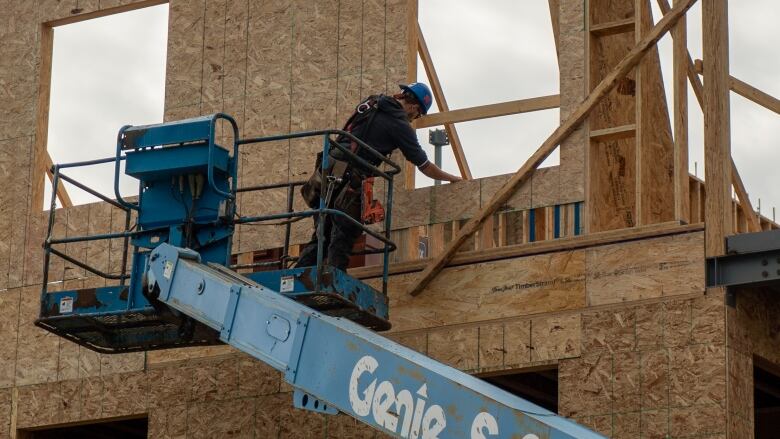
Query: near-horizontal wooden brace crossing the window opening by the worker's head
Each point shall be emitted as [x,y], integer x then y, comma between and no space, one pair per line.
[488,111]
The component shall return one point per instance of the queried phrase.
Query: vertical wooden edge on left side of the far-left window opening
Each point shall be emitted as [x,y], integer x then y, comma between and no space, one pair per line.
[42,117]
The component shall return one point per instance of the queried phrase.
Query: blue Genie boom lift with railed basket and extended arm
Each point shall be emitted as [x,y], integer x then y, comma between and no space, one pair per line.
[315,324]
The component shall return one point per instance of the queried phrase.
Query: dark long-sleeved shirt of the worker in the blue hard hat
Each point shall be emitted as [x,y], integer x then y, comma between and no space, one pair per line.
[390,130]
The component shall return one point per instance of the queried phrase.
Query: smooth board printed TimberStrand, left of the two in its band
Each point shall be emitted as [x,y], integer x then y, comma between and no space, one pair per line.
[479,292]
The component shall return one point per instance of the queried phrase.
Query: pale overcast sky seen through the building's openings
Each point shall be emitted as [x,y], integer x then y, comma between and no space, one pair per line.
[484,52]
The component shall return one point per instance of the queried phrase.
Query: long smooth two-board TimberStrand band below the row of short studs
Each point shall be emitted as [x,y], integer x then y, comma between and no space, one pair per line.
[615,273]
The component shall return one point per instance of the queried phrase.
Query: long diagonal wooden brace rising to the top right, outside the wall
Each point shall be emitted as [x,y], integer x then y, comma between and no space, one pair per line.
[567,127]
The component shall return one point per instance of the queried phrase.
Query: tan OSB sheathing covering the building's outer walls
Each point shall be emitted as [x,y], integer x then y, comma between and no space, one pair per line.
[627,324]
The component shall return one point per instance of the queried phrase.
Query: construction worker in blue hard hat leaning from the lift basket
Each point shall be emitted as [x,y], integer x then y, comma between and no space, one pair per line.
[384,122]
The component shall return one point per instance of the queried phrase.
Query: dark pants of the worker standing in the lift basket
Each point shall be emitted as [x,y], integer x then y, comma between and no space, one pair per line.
[340,236]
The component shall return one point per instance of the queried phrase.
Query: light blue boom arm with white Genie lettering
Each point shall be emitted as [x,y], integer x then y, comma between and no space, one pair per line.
[336,365]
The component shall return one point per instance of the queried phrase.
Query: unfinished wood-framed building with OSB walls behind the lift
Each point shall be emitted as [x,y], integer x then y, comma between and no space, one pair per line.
[583,287]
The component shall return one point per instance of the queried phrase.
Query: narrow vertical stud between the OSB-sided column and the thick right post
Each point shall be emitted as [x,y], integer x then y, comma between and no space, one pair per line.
[682,199]
